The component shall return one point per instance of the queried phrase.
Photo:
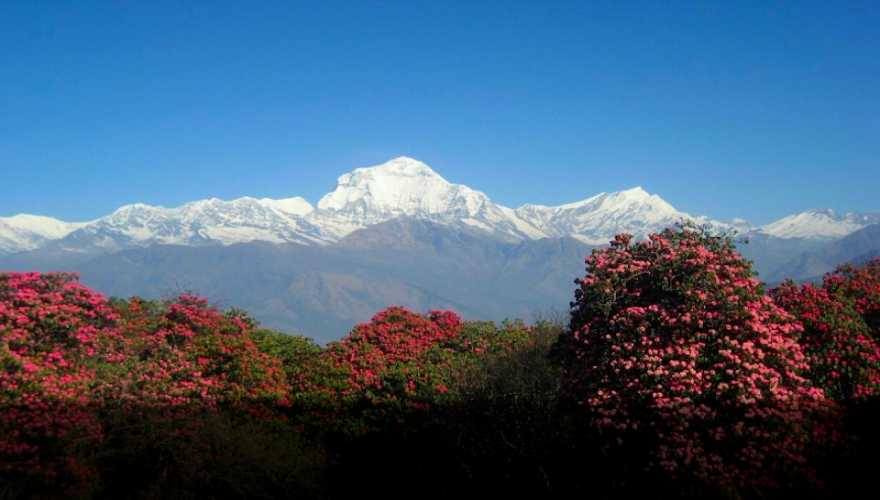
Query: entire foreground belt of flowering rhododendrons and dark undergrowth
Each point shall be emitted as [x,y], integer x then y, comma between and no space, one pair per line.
[677,375]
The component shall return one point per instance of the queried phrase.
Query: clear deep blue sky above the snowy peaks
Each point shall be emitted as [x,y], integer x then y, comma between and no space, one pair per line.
[752,109]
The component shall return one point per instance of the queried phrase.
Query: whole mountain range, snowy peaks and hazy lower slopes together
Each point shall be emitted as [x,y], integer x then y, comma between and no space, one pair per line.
[392,233]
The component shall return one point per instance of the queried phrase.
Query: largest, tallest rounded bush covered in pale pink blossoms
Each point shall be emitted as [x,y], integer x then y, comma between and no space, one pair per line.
[672,340]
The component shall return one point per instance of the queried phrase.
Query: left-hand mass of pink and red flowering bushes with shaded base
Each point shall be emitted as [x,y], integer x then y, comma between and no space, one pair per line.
[139,398]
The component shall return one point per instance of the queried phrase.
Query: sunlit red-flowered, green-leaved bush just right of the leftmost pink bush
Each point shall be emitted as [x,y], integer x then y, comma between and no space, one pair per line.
[184,353]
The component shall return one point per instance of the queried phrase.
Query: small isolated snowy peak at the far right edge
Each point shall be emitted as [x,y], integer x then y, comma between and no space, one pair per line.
[819,224]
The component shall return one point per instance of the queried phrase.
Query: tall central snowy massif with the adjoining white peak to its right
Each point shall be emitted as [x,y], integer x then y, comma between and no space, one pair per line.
[407,187]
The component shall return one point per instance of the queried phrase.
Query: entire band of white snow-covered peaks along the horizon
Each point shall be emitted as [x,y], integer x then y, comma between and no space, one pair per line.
[364,197]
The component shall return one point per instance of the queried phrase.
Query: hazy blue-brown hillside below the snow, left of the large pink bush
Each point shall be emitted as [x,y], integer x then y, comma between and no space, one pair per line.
[323,291]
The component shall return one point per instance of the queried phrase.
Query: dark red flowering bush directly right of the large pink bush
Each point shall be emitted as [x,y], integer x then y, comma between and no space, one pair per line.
[844,358]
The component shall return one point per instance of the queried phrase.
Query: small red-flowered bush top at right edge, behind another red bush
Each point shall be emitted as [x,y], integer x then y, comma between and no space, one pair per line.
[861,284]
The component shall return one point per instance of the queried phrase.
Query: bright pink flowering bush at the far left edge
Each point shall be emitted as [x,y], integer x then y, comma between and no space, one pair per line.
[53,333]
